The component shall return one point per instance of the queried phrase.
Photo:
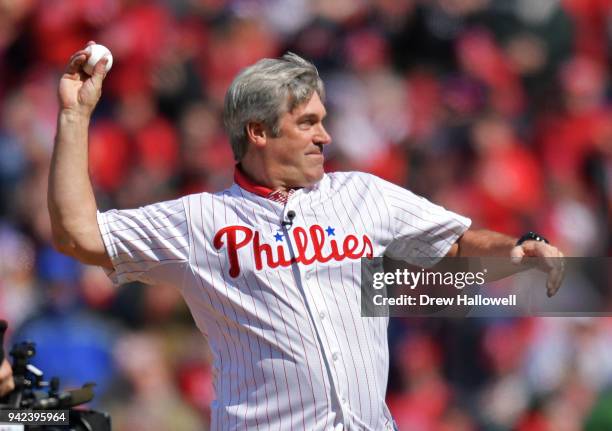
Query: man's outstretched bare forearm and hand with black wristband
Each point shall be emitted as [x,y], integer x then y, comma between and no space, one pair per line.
[486,243]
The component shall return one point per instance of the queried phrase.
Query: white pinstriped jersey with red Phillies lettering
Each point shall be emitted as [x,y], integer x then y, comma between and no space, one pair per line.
[280,305]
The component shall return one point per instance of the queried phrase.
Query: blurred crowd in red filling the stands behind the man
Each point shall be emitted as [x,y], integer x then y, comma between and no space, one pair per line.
[497,109]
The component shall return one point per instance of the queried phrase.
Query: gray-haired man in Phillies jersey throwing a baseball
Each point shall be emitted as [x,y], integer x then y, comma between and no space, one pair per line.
[270,266]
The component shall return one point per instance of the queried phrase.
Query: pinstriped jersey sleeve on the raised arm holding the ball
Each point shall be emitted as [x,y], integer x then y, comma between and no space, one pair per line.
[147,244]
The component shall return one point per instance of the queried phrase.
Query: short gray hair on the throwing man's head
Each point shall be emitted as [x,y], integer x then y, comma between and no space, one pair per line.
[265,91]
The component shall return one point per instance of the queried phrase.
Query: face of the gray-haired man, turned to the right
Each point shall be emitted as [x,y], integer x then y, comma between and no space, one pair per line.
[296,155]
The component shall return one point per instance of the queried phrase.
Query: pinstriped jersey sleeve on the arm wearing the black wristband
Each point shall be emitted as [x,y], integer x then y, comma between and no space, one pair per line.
[423,232]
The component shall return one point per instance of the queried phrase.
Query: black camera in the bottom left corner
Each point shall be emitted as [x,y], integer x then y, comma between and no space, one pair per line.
[32,393]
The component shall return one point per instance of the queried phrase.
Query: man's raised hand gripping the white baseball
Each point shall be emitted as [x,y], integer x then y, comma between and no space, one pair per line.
[78,92]
